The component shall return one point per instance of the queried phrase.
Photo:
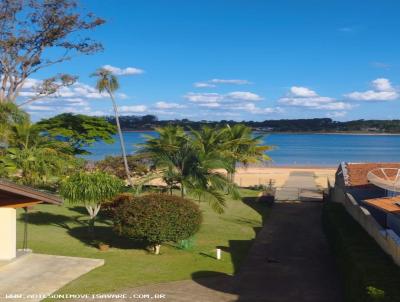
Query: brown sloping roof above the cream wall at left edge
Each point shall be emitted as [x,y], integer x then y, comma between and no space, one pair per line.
[12,194]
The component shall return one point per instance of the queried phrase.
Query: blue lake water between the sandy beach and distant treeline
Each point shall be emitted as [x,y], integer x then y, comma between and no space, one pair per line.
[297,149]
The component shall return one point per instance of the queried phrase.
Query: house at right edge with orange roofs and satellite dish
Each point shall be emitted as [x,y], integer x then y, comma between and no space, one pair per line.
[370,193]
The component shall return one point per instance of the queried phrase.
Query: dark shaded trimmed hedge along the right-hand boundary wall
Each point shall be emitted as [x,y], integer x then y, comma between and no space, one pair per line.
[368,273]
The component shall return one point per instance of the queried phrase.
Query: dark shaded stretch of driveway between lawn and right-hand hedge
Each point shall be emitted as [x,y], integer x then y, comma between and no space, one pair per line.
[290,261]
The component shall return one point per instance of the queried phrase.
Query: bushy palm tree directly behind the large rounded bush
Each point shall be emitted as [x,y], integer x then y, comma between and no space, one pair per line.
[184,164]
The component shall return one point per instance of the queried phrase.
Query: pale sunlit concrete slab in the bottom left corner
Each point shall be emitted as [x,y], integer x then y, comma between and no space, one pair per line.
[33,276]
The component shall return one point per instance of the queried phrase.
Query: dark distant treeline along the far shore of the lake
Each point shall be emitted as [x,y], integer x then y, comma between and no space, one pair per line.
[149,122]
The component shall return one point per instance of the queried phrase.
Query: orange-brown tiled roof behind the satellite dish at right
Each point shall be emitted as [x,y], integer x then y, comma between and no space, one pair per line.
[356,173]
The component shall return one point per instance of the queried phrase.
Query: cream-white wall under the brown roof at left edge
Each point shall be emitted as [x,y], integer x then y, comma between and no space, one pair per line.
[8,231]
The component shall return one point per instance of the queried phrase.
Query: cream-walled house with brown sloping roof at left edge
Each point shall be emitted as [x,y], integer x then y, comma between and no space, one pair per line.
[12,197]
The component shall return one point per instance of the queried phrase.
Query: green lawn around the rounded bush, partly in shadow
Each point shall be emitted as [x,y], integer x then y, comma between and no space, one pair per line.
[62,231]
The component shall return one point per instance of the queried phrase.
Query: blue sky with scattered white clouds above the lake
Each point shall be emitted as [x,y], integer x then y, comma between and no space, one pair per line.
[241,60]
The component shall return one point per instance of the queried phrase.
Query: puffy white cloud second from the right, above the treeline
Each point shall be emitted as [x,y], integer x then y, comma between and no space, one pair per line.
[307,98]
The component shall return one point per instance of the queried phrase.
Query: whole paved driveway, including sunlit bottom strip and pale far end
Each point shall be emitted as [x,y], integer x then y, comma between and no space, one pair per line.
[290,261]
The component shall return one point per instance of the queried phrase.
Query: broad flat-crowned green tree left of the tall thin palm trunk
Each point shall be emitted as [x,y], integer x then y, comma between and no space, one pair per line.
[78,130]
